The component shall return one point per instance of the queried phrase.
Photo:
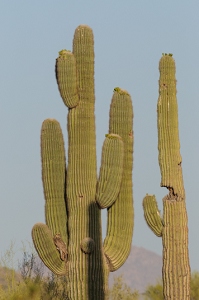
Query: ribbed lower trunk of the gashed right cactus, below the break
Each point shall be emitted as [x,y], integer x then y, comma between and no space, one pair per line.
[176,270]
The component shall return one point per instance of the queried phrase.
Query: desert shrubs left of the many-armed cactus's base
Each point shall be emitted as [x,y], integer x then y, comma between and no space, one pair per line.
[30,282]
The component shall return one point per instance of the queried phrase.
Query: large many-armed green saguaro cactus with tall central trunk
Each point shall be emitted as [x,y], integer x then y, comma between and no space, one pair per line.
[70,243]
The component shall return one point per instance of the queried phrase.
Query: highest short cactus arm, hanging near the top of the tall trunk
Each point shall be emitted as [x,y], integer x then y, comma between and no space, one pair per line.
[66,76]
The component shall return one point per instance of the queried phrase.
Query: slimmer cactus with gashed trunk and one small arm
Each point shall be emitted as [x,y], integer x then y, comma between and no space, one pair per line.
[173,226]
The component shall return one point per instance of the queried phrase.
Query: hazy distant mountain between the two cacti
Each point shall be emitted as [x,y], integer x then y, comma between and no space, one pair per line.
[143,267]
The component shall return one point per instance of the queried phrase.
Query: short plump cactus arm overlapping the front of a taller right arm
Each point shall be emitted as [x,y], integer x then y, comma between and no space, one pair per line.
[111,171]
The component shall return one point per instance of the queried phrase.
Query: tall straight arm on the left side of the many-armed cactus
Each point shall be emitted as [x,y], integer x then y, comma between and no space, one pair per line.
[54,177]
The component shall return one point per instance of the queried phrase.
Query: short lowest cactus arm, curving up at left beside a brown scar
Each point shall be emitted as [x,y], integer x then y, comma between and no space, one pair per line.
[47,250]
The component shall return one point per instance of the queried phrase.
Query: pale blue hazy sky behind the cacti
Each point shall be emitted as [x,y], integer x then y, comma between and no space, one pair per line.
[130,37]
